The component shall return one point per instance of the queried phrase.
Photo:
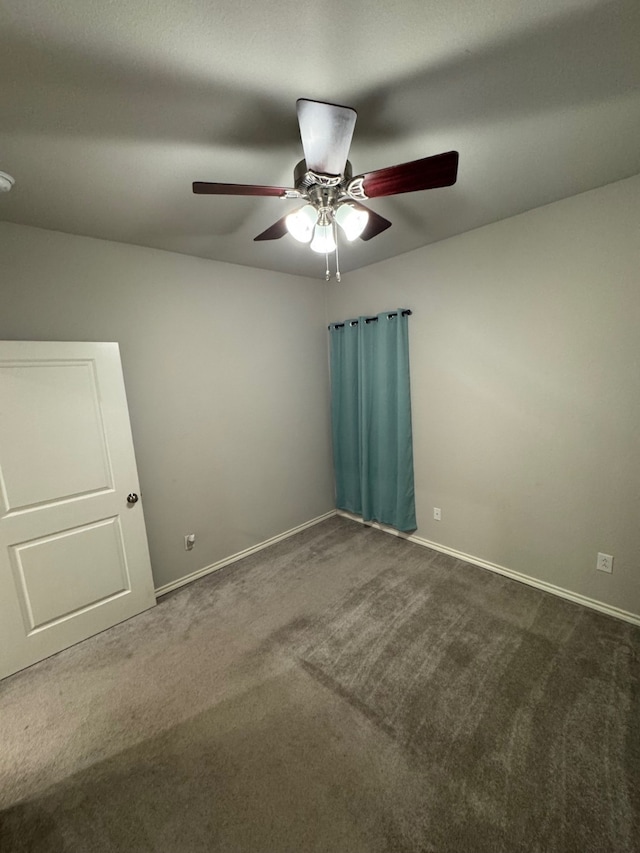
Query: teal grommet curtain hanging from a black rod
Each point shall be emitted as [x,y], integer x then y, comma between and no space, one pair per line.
[371,418]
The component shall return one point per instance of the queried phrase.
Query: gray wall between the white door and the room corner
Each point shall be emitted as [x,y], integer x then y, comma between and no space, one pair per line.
[226,376]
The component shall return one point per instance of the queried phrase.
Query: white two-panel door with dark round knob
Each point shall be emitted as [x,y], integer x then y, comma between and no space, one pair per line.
[74,558]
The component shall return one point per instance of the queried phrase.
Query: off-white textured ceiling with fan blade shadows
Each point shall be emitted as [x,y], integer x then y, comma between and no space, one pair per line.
[109,109]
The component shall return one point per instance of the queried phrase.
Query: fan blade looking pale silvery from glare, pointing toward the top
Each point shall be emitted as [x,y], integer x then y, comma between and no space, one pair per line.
[326,131]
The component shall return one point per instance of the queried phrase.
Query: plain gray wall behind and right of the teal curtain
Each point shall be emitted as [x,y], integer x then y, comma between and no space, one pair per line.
[525,359]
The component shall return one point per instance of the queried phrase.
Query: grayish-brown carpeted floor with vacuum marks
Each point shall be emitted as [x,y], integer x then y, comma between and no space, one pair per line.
[344,690]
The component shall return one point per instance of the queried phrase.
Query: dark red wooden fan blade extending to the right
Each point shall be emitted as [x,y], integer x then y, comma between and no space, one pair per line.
[438,171]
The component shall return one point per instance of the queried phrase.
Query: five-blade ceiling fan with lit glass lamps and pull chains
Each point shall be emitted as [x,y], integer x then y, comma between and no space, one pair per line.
[324,180]
